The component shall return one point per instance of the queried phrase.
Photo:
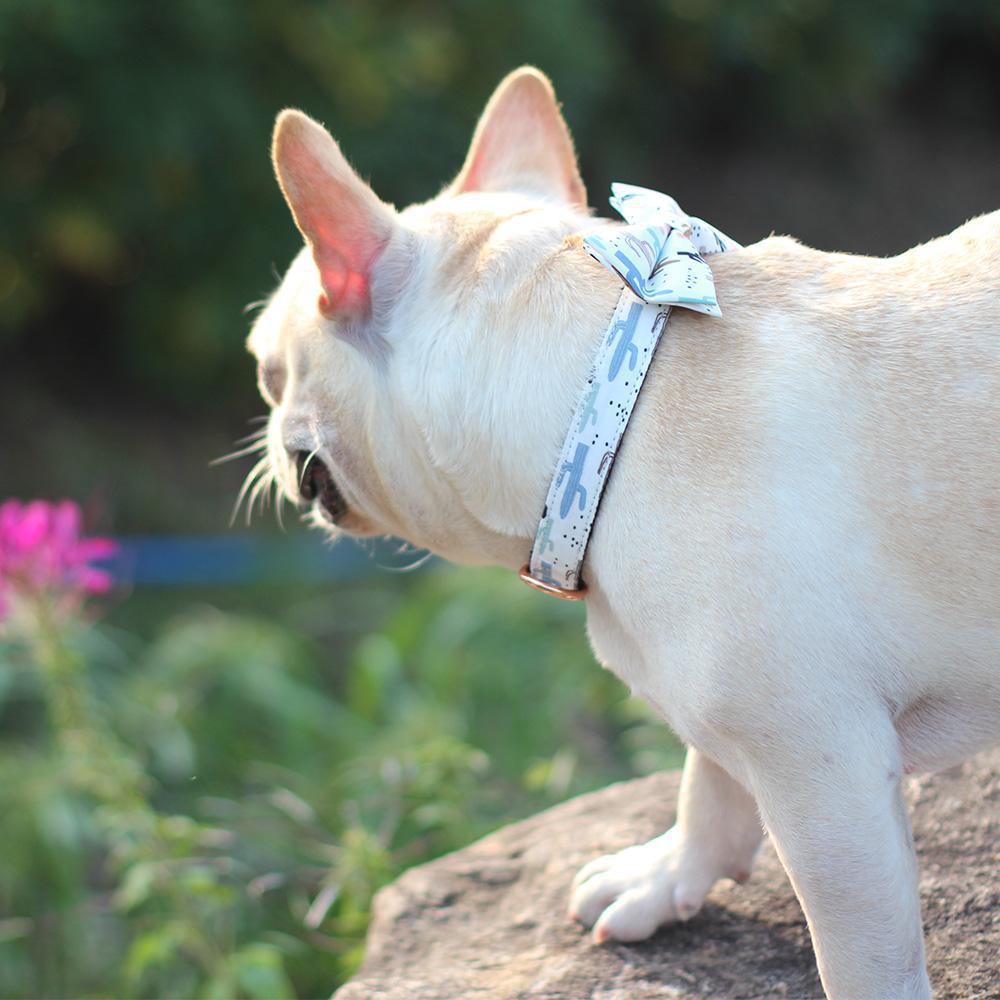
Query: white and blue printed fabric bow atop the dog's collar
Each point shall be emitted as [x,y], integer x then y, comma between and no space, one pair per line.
[659,253]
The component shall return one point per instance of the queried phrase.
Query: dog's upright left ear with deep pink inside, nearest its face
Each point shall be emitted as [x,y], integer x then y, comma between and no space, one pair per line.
[342,220]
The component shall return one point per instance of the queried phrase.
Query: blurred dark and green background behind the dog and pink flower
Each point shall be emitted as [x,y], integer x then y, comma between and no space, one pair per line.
[323,721]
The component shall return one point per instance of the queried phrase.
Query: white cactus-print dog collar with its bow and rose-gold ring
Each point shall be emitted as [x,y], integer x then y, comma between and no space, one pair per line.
[660,257]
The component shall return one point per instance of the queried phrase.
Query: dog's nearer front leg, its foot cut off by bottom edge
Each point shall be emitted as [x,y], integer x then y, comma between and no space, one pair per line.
[832,803]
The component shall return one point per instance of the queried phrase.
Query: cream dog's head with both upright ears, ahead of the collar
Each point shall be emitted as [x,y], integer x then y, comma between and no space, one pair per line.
[400,355]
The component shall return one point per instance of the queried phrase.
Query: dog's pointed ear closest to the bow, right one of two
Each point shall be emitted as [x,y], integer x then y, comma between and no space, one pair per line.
[522,143]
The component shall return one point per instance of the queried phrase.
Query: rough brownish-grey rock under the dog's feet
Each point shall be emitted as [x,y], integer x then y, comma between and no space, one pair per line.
[489,921]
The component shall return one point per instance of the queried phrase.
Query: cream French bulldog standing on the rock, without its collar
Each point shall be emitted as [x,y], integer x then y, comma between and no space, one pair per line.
[797,560]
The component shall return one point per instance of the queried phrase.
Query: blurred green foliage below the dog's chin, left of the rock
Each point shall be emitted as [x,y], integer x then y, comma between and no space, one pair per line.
[213,811]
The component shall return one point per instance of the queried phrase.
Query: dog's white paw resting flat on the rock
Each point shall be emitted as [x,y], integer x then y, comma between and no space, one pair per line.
[628,895]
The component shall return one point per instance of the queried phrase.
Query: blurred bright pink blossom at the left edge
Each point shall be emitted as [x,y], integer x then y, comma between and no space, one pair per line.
[43,551]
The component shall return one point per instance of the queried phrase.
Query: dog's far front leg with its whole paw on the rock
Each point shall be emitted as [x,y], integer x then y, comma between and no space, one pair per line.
[626,896]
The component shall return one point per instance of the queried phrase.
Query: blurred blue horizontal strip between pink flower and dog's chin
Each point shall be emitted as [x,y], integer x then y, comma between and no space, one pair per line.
[212,560]
